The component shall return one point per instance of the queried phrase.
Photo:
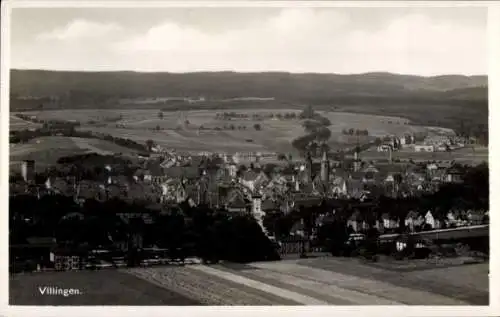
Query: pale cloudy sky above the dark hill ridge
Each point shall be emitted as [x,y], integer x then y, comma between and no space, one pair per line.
[419,41]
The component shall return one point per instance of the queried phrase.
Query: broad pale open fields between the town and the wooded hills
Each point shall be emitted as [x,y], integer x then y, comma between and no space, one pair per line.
[276,135]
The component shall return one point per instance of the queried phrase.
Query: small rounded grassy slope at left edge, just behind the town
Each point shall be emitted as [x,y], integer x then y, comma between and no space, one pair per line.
[47,150]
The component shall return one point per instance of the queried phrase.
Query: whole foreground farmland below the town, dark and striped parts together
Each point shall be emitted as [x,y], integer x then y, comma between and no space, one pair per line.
[314,281]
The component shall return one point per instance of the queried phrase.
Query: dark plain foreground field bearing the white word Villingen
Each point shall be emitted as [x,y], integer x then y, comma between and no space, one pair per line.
[98,288]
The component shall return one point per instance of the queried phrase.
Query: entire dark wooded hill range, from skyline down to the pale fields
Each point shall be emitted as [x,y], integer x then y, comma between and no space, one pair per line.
[450,99]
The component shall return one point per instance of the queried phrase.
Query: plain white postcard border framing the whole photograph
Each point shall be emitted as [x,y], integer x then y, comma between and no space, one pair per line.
[494,99]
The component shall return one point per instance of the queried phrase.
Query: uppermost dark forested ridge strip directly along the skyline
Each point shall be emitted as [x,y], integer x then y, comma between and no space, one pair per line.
[284,86]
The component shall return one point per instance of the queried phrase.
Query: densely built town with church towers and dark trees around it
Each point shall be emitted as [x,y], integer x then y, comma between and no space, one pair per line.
[105,211]
